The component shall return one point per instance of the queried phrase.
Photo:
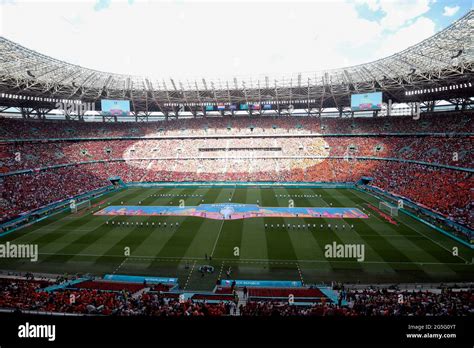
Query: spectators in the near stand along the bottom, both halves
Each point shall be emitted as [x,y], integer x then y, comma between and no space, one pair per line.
[22,294]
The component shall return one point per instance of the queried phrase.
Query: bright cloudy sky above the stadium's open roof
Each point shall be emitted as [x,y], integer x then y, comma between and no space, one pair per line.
[195,39]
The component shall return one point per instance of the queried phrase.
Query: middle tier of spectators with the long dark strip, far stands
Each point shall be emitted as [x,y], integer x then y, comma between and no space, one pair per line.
[453,151]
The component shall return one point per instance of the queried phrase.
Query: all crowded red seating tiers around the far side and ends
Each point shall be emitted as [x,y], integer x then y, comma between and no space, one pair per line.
[46,161]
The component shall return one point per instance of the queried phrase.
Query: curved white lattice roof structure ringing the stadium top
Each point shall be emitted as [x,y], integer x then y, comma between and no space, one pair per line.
[443,59]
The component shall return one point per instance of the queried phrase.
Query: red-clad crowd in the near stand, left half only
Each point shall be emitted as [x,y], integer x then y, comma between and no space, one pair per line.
[21,295]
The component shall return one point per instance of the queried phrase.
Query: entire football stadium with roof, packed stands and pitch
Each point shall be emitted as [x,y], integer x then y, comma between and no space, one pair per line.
[338,192]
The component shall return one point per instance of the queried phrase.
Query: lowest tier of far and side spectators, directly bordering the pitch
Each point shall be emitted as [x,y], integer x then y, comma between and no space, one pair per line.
[448,192]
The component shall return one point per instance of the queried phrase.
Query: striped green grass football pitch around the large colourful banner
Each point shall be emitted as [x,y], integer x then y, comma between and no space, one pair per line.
[84,243]
